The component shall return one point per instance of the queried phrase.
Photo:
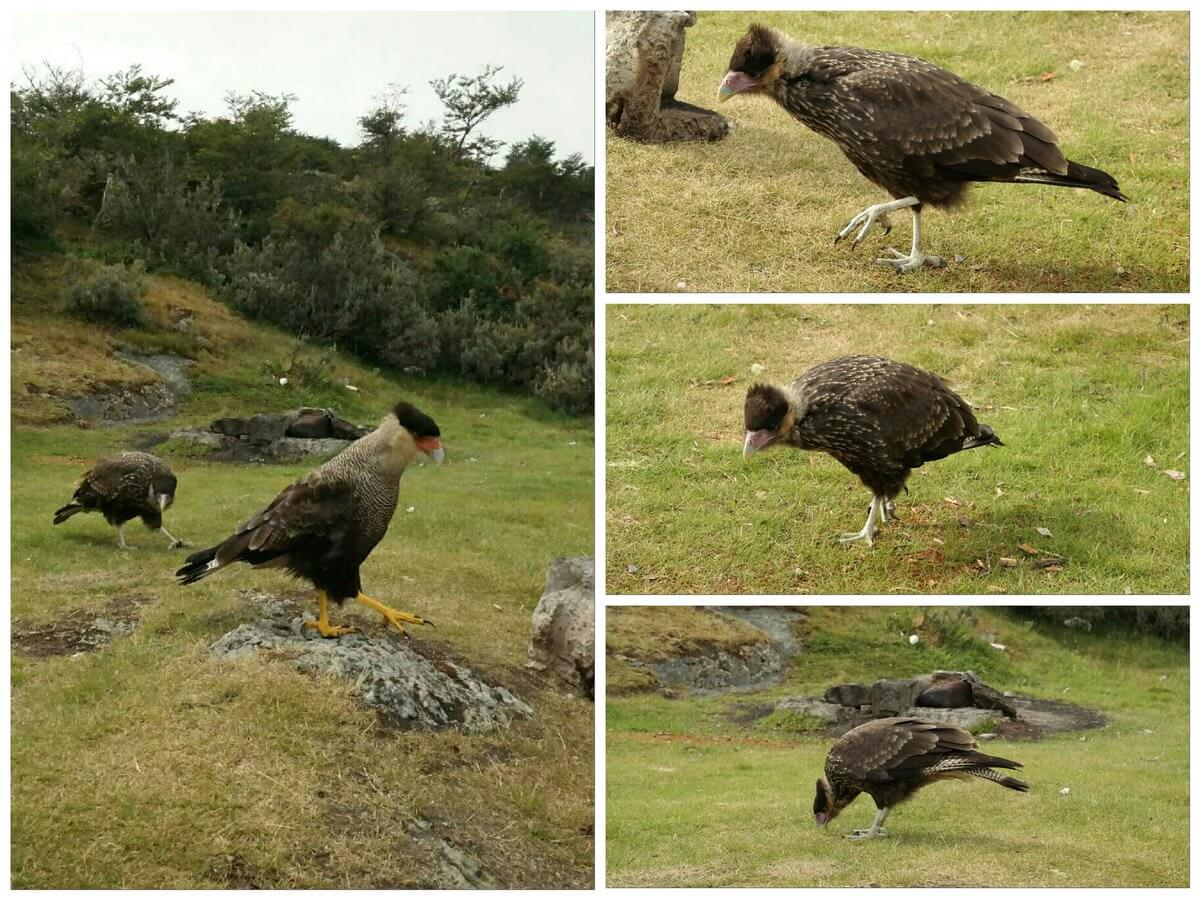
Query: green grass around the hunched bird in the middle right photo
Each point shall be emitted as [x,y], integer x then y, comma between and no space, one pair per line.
[1082,395]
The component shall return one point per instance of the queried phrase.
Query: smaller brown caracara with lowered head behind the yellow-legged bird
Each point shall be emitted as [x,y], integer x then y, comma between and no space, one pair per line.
[123,488]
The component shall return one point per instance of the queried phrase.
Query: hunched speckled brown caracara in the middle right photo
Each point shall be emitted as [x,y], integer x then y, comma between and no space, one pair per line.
[878,418]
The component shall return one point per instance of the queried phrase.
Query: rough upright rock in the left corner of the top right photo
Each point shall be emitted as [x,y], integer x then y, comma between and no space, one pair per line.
[644,58]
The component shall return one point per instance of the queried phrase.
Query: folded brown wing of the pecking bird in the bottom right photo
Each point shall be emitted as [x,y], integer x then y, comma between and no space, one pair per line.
[884,748]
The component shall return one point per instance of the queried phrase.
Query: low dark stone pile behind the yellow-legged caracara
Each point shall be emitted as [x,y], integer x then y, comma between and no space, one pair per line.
[274,437]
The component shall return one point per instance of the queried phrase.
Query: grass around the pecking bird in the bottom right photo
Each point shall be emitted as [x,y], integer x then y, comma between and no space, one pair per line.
[697,800]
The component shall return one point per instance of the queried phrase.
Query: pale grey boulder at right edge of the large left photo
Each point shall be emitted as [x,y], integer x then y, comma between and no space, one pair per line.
[563,635]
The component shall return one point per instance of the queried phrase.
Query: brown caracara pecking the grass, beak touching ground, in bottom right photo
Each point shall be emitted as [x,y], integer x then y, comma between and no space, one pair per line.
[893,759]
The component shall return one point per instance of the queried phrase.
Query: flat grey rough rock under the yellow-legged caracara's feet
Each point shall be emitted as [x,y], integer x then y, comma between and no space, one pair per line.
[409,691]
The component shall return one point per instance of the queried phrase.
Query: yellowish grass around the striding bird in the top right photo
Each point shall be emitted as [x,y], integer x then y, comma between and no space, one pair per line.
[758,211]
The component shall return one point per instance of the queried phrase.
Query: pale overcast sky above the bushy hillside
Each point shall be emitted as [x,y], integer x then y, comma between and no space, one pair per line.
[338,64]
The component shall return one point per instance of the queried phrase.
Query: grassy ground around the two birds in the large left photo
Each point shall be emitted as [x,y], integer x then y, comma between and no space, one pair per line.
[149,766]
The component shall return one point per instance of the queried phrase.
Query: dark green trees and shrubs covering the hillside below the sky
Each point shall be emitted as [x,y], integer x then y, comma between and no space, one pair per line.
[428,249]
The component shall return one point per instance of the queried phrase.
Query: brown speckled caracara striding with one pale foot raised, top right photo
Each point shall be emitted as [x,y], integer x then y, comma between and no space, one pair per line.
[917,131]
